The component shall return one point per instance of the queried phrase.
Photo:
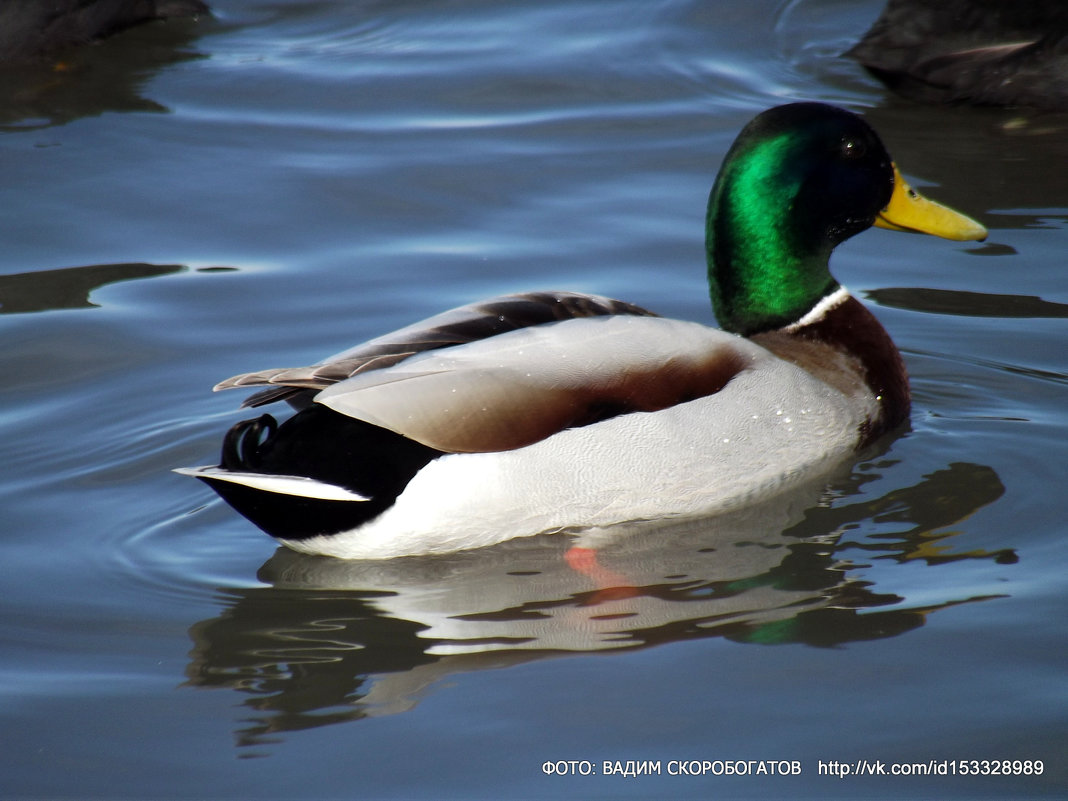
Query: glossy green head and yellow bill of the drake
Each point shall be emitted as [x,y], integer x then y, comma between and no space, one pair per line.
[798,181]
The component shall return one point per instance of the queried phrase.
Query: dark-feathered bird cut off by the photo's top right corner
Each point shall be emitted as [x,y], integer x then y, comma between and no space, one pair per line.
[980,52]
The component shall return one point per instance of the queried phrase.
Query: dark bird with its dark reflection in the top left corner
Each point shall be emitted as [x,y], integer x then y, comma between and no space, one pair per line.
[52,71]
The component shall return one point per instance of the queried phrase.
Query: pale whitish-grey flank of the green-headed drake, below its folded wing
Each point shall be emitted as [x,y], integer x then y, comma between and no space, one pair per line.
[771,429]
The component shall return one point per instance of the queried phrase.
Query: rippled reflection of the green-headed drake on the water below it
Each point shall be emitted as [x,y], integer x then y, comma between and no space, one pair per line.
[334,641]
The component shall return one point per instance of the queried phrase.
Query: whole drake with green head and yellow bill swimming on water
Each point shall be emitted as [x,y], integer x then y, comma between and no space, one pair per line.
[540,413]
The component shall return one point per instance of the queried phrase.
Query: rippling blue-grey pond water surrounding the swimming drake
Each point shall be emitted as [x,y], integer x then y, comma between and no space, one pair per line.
[194,200]
